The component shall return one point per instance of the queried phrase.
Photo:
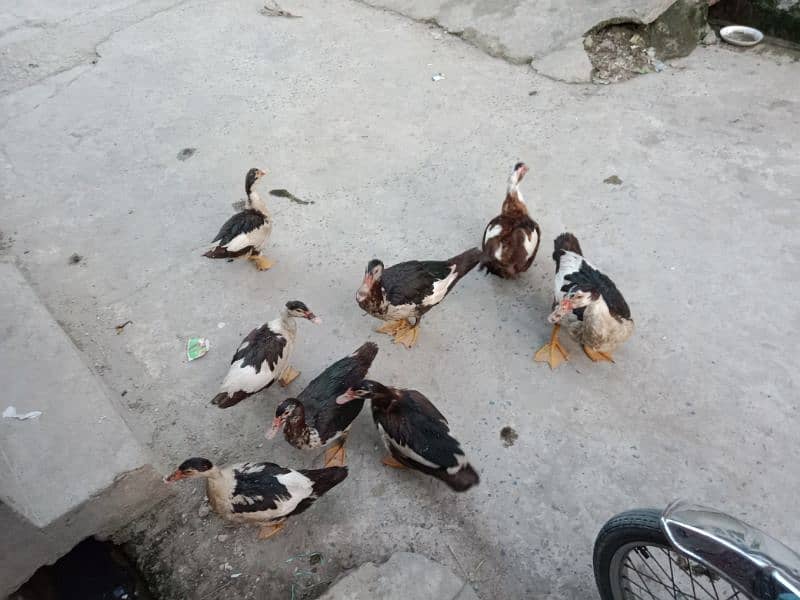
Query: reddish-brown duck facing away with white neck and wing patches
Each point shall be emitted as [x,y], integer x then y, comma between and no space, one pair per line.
[511,239]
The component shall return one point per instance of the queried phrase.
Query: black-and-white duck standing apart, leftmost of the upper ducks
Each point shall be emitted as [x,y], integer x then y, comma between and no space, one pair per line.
[246,232]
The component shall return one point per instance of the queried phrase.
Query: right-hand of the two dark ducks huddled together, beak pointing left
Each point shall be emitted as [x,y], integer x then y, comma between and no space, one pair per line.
[415,433]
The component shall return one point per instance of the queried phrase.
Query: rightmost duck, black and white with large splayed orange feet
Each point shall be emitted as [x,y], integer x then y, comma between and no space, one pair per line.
[588,303]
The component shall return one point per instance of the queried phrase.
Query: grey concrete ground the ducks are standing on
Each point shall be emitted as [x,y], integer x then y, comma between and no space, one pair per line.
[340,107]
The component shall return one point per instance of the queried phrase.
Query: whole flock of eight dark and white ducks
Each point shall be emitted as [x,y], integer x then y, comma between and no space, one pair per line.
[415,433]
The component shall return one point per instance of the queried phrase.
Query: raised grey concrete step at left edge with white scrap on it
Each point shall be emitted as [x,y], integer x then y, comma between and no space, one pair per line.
[74,471]
